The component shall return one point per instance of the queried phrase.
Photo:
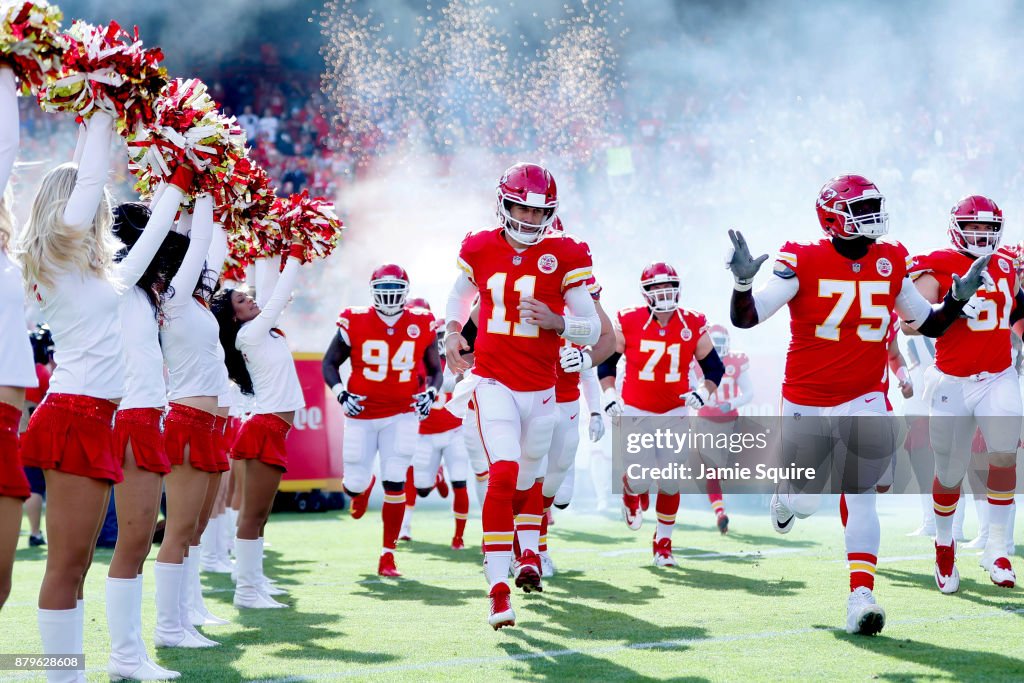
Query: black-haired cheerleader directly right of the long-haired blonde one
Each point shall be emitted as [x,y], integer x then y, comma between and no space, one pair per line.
[139,441]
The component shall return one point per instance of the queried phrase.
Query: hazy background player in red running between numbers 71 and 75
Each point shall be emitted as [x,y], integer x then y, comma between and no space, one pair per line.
[735,392]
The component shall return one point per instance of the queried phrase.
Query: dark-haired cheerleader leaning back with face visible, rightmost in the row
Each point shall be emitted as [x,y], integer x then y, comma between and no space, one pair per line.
[260,362]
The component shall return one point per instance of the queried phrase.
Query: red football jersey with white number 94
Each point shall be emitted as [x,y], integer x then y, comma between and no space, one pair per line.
[386,359]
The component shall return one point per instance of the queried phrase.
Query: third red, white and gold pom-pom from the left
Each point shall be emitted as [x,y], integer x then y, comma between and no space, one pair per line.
[189,131]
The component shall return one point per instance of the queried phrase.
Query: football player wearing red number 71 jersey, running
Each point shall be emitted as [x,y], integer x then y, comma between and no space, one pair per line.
[659,341]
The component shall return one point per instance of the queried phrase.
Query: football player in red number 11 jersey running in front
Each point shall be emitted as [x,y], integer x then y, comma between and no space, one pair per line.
[526,280]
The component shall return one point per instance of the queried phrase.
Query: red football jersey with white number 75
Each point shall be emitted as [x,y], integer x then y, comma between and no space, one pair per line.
[839,319]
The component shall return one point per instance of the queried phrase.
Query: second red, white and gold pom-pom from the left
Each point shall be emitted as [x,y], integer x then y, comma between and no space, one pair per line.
[106,69]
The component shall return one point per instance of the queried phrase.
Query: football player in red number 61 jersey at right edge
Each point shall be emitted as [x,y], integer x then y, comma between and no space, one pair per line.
[974,385]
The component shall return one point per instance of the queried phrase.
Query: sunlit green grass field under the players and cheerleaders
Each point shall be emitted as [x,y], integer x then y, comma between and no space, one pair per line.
[749,607]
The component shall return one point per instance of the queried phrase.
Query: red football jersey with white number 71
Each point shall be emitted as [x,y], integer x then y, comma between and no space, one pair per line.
[658,359]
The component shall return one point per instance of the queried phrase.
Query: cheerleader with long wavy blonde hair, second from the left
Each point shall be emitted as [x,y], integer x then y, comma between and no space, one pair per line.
[68,251]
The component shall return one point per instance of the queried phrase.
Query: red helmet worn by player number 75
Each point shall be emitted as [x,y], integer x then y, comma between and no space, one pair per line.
[851,206]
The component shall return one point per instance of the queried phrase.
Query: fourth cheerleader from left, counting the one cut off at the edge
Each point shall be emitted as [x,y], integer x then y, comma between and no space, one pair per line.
[192,353]
